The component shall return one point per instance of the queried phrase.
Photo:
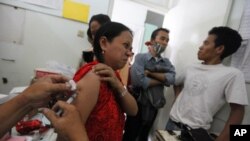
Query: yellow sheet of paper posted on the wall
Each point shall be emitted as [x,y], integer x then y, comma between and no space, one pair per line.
[75,11]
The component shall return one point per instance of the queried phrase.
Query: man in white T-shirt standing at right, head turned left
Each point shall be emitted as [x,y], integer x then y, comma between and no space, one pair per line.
[204,88]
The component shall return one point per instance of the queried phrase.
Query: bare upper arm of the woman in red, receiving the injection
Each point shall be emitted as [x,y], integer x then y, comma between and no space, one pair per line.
[87,94]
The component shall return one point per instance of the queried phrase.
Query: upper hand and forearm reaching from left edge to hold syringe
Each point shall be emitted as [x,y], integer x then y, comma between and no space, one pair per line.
[35,96]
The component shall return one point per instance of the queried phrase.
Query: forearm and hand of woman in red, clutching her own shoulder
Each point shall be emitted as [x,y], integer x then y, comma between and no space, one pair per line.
[127,101]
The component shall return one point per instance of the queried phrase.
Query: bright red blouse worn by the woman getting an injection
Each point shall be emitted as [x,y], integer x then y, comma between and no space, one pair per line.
[106,121]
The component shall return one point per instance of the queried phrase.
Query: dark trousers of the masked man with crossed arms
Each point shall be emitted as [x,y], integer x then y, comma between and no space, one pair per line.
[135,126]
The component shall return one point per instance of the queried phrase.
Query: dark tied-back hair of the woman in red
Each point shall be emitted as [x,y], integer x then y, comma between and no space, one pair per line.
[110,30]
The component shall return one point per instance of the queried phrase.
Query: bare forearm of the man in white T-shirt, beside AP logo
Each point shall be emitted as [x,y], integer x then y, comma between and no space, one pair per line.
[235,117]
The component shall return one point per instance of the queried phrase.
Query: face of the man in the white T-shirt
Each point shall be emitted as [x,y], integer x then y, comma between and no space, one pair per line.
[208,52]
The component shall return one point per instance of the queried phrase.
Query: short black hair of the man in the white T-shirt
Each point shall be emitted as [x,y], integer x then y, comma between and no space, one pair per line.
[228,37]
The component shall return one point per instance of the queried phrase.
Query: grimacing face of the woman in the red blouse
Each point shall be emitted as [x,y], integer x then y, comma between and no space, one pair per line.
[117,52]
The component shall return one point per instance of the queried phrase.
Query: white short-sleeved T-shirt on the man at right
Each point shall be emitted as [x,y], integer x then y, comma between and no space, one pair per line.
[206,89]
